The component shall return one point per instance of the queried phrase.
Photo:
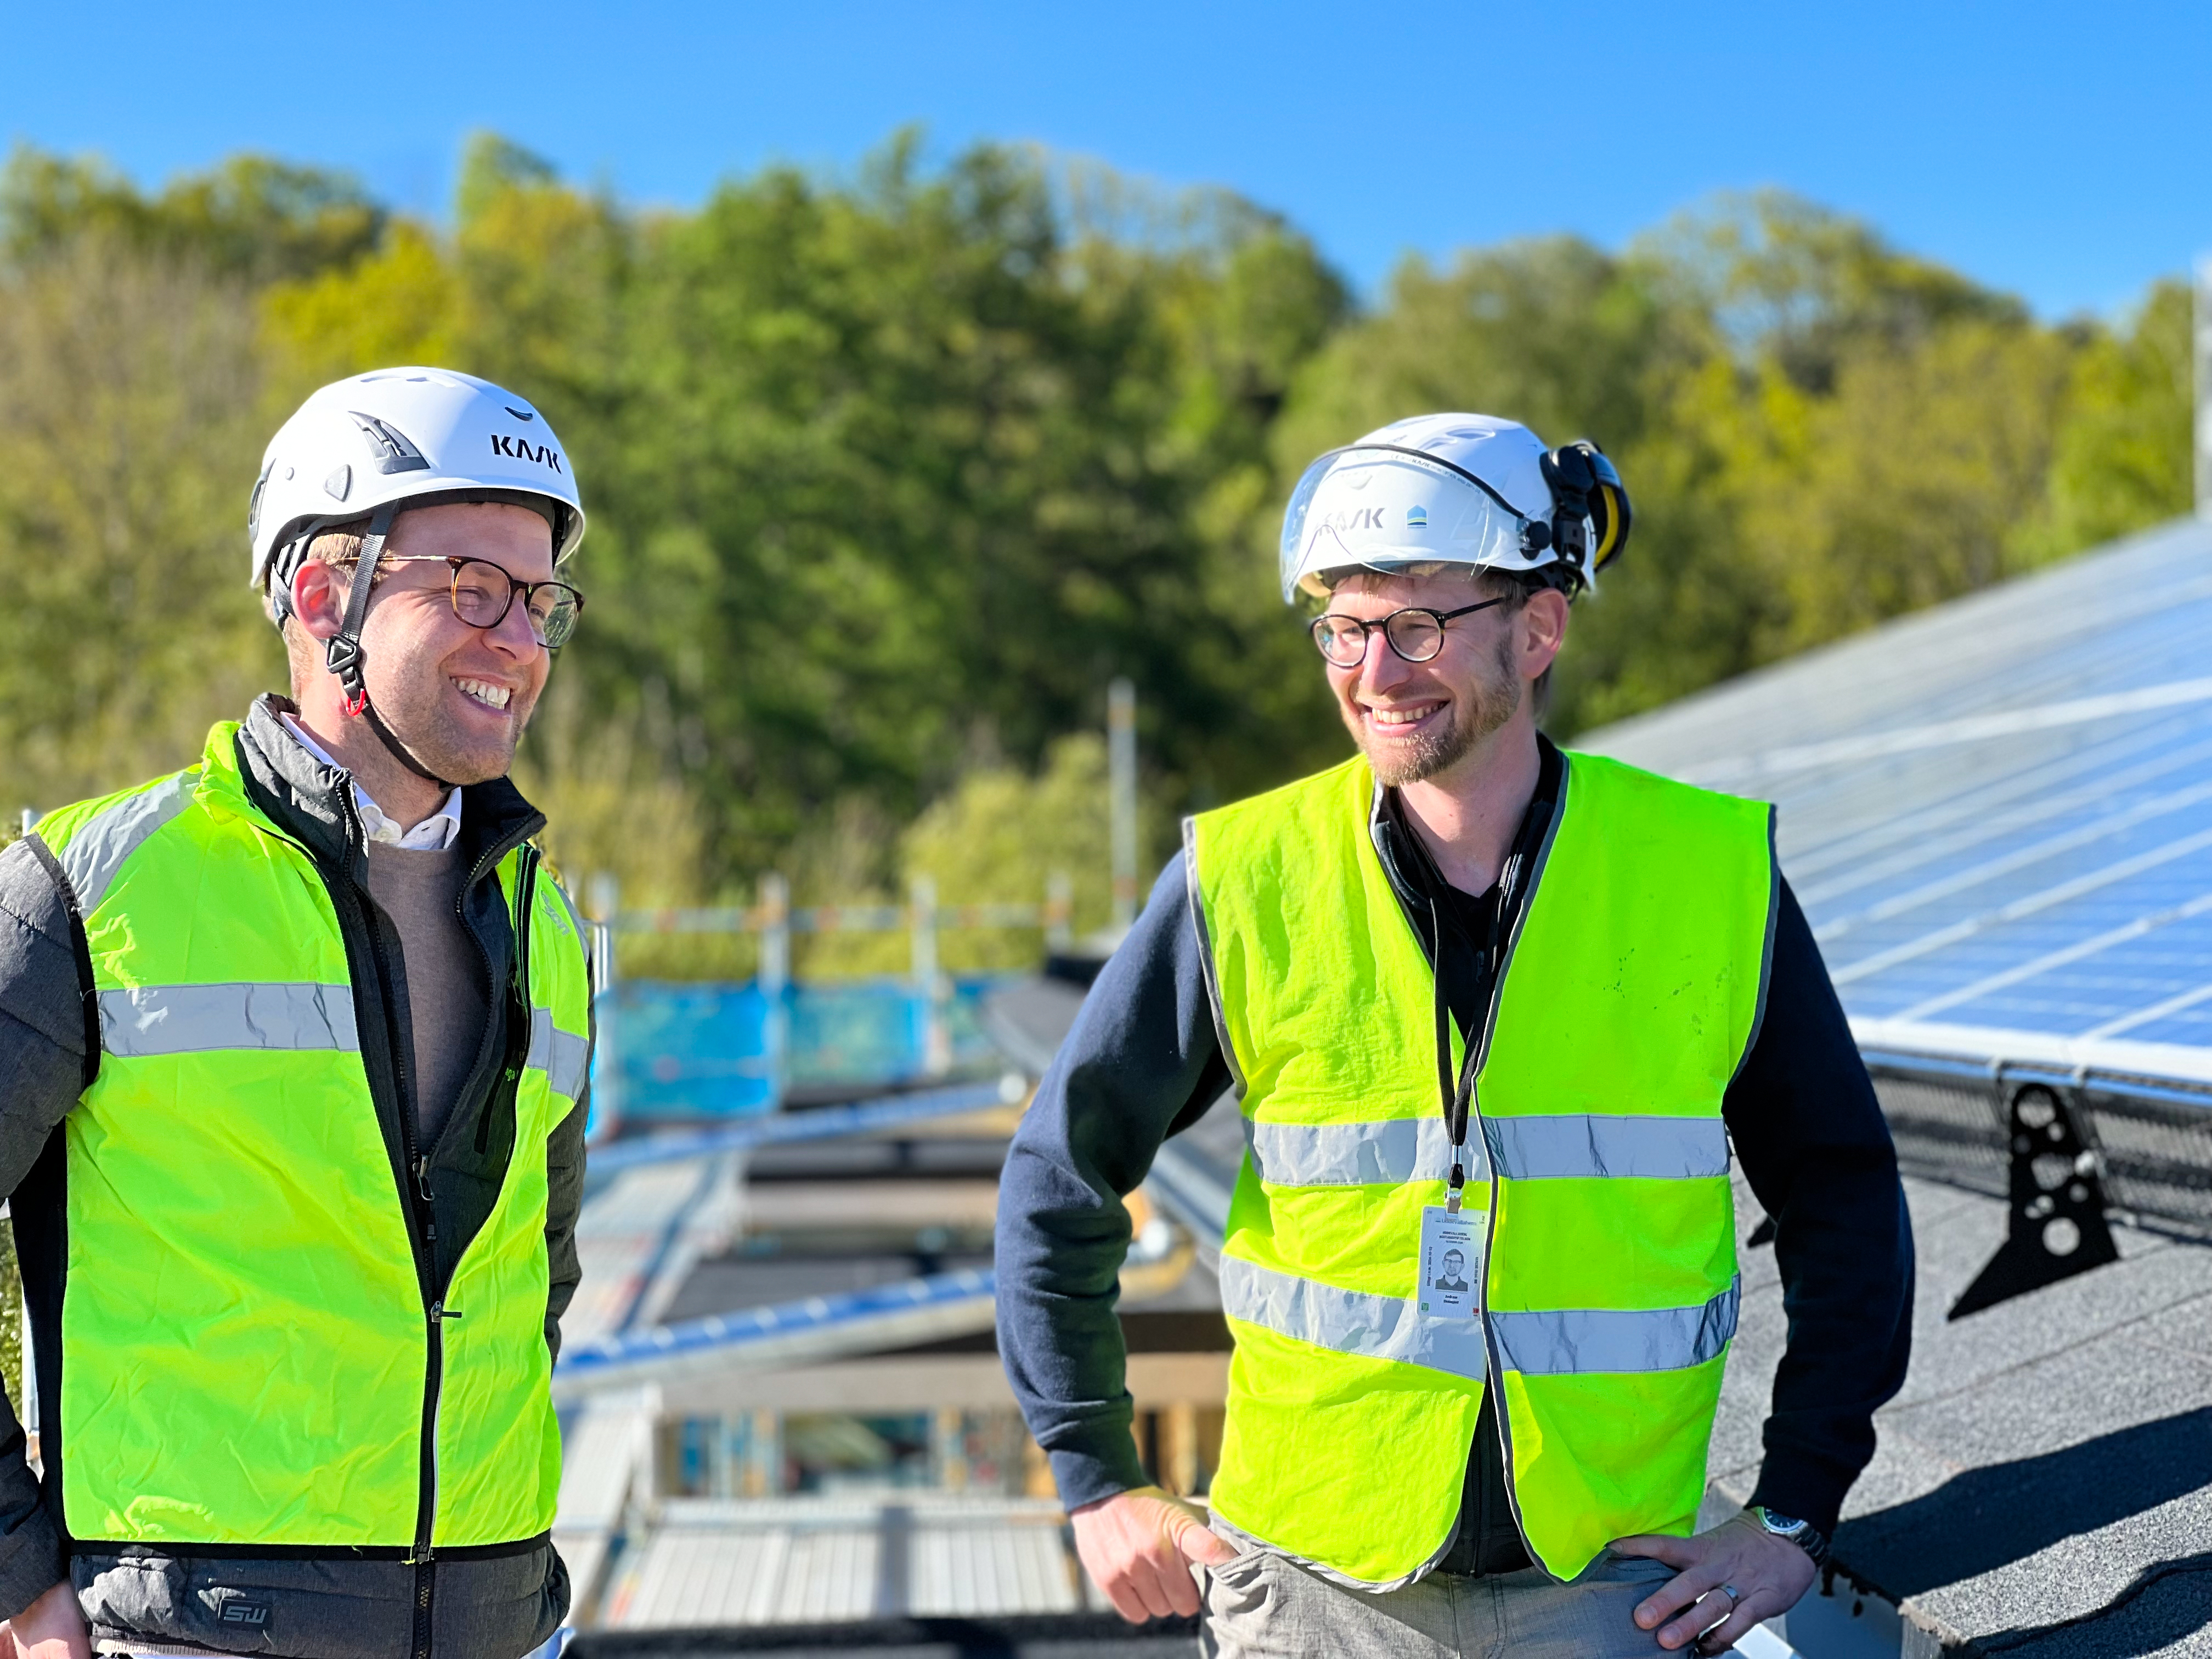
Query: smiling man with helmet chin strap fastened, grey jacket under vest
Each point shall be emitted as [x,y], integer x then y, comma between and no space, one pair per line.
[293,1094]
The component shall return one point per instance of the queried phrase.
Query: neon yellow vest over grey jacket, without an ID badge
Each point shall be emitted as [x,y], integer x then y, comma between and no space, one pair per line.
[249,1350]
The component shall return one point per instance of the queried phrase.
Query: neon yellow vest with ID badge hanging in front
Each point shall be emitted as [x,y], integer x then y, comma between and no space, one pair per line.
[1609,1297]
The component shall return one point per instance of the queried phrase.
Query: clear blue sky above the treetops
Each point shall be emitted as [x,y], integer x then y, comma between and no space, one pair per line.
[2054,152]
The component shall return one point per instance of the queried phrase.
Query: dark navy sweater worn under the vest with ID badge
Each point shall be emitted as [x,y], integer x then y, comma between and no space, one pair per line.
[1145,1063]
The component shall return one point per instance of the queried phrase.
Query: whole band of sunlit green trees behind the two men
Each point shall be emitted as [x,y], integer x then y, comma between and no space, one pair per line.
[890,474]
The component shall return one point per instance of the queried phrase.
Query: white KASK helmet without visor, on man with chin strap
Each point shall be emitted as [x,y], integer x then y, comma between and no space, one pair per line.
[399,439]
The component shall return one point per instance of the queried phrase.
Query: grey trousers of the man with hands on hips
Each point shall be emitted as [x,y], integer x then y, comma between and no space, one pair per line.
[1264,1607]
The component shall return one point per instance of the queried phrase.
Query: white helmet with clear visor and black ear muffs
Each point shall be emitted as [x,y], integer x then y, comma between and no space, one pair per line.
[1457,490]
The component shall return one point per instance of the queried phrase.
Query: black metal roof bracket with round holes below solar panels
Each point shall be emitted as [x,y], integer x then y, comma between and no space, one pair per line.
[2056,1196]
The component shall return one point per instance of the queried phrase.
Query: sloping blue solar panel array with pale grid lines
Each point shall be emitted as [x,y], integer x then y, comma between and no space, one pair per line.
[1999,813]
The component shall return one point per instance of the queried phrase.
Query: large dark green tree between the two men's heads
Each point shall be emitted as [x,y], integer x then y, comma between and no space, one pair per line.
[899,474]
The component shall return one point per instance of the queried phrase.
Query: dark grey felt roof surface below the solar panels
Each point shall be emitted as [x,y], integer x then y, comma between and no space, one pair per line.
[2045,1481]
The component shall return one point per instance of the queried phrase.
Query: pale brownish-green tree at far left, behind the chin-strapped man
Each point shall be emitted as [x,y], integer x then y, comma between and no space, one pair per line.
[132,439]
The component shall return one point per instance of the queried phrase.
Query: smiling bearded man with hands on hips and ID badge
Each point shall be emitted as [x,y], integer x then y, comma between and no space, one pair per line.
[1494,1016]
